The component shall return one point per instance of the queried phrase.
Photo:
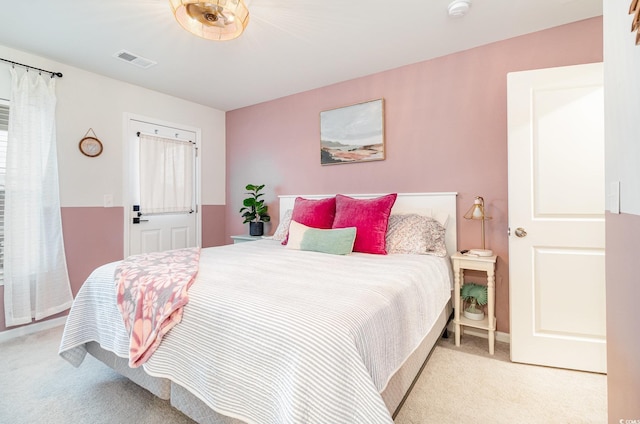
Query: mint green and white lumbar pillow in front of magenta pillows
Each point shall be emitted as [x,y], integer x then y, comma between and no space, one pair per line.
[337,241]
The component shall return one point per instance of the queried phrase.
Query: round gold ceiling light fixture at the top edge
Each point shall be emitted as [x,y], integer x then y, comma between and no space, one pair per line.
[214,19]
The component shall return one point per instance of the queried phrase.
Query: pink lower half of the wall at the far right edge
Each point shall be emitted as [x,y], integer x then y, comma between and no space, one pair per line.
[623,292]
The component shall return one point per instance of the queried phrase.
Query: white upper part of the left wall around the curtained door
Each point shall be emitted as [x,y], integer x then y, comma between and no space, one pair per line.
[87,100]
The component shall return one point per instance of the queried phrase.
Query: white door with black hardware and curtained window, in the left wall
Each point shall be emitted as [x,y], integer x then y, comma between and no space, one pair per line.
[148,231]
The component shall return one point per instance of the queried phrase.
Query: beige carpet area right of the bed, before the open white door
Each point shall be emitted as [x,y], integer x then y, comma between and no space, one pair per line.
[467,385]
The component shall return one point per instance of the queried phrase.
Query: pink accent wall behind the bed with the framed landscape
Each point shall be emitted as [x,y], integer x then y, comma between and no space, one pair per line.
[445,130]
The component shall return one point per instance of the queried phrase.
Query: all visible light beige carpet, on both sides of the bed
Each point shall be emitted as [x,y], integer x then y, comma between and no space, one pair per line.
[458,385]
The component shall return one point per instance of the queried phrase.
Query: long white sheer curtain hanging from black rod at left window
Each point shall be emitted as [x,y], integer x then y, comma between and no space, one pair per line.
[36,279]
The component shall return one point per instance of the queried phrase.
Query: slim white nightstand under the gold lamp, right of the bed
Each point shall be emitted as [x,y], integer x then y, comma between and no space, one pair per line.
[476,263]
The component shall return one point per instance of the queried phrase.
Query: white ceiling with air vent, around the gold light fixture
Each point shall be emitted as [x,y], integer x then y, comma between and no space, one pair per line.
[290,46]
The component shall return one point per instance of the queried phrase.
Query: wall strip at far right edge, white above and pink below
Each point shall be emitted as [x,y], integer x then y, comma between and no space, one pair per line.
[622,153]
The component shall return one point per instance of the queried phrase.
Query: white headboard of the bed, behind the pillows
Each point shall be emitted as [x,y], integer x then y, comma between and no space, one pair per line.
[436,204]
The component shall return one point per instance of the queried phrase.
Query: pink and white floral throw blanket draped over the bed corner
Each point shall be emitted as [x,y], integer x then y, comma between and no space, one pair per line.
[151,292]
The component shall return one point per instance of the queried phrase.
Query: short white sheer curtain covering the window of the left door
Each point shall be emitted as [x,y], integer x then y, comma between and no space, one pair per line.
[166,175]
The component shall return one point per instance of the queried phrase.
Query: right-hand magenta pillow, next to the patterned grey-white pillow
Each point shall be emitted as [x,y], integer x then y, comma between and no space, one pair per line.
[369,216]
